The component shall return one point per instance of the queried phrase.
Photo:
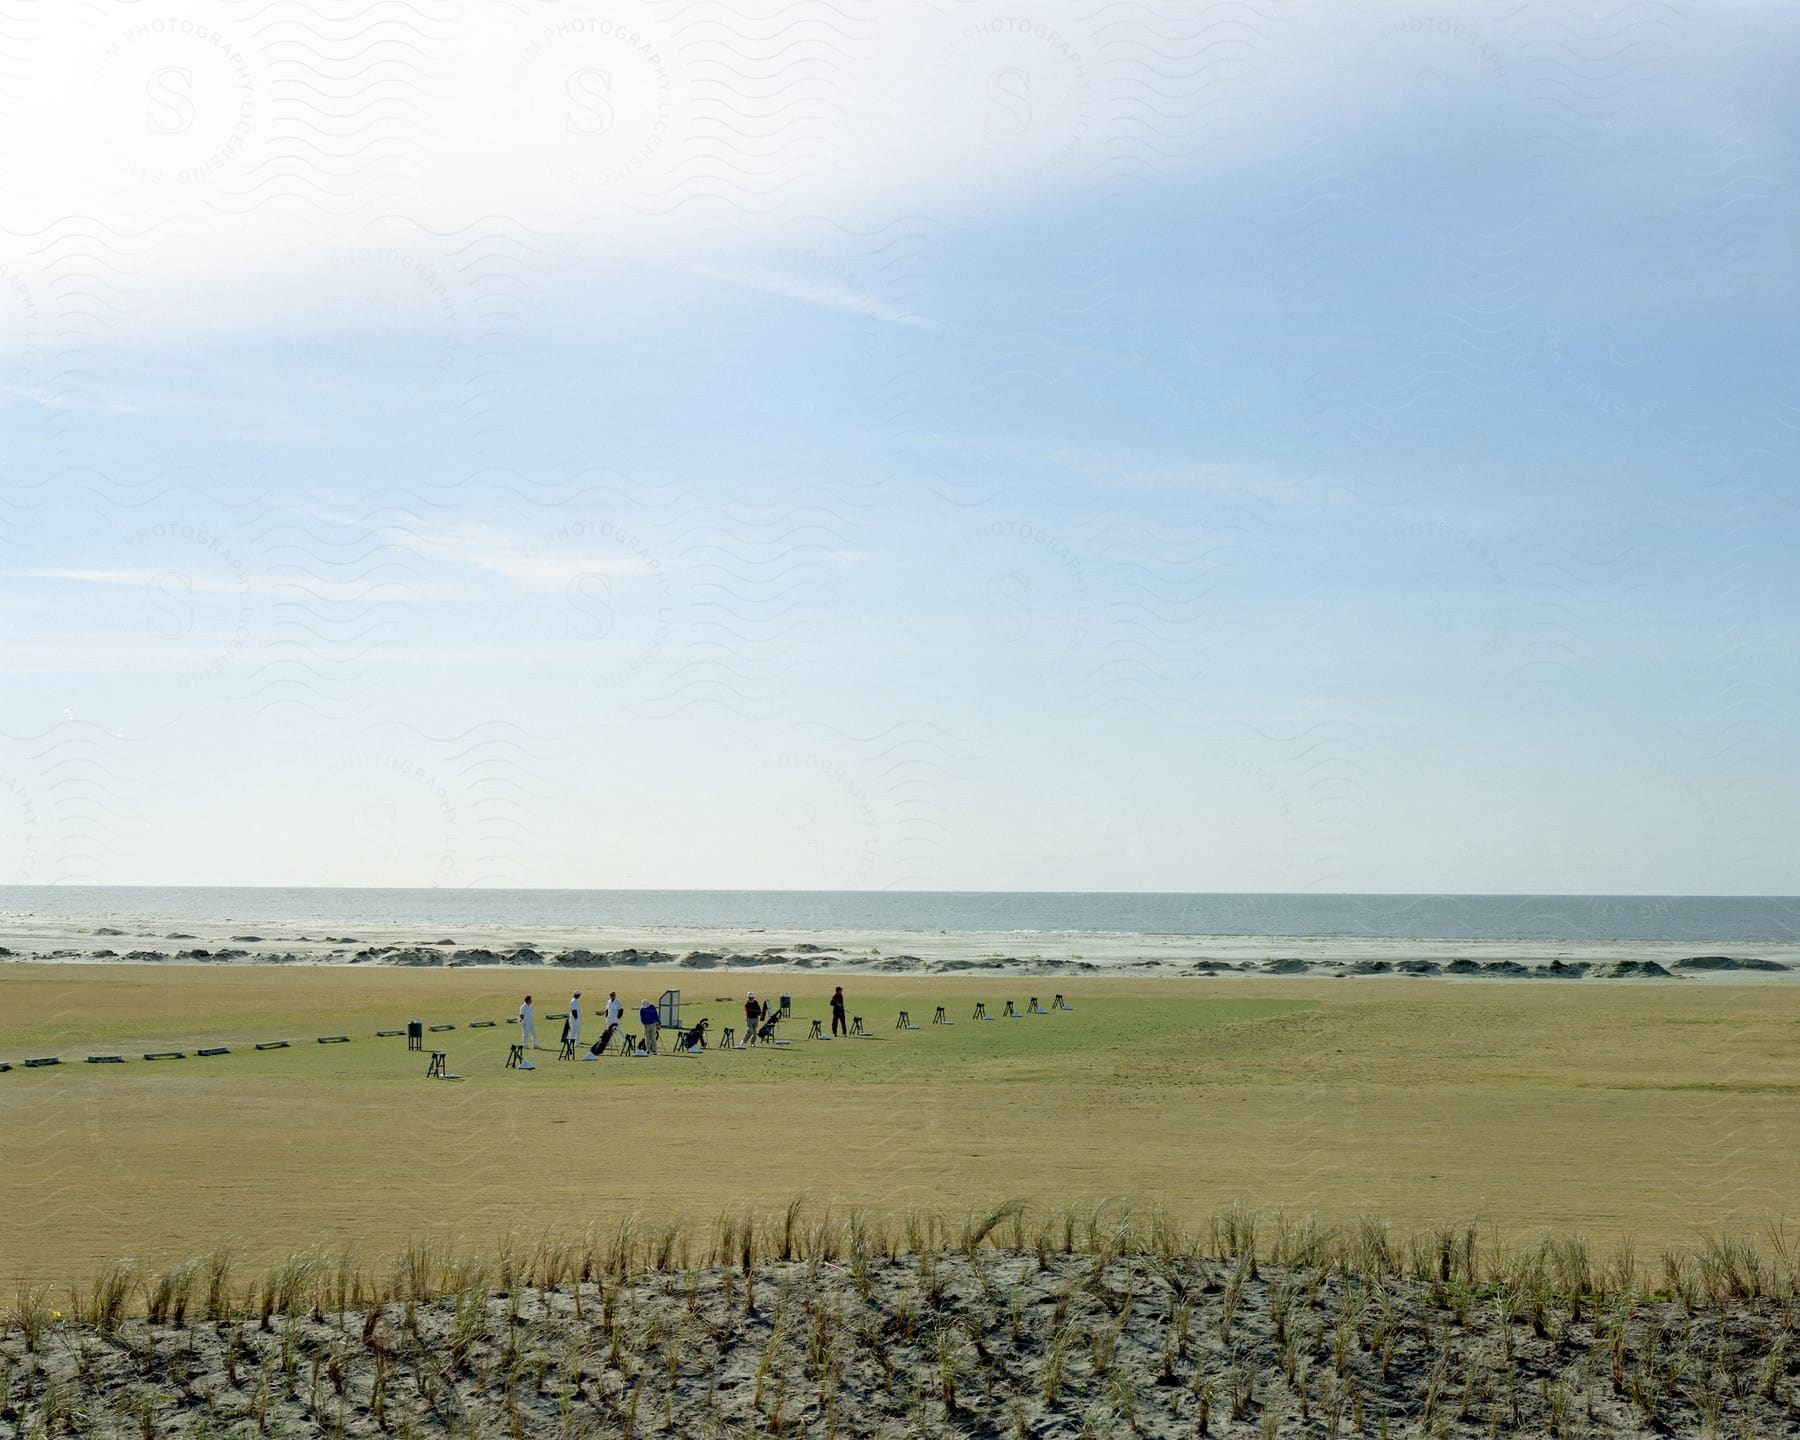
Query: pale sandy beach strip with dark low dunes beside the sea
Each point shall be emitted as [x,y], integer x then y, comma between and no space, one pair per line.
[26,939]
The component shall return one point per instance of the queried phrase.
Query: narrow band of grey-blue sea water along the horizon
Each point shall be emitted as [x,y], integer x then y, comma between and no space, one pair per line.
[1723,921]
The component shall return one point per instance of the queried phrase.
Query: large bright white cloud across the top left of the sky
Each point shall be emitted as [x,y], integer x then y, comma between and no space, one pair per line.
[359,168]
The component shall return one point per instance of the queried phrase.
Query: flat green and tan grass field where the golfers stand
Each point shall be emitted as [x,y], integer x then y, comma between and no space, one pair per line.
[1653,1111]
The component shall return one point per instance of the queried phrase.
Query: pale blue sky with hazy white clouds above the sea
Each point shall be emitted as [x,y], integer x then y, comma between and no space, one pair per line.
[1236,447]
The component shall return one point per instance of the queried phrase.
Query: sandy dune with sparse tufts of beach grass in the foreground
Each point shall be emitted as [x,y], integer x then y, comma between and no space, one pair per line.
[1011,1318]
